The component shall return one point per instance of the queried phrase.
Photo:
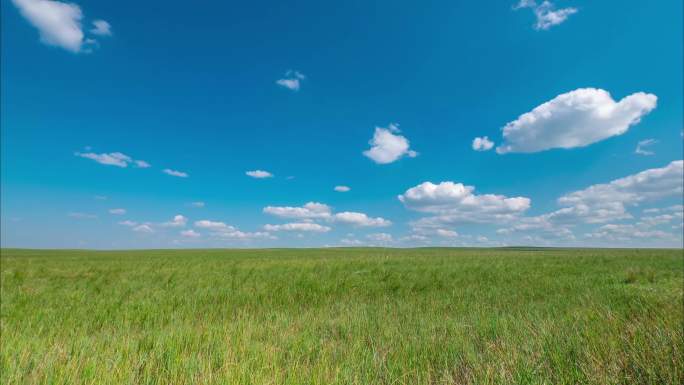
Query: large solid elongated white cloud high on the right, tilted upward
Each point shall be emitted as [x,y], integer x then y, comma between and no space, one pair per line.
[575,119]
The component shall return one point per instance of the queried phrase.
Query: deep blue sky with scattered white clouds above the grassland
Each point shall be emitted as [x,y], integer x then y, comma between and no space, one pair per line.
[259,110]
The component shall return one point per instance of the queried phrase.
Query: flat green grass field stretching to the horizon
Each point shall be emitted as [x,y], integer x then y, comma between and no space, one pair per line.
[342,316]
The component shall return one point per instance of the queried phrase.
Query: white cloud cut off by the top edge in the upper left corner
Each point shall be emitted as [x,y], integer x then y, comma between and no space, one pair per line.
[59,24]
